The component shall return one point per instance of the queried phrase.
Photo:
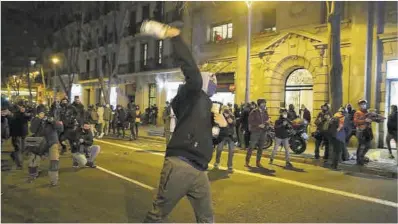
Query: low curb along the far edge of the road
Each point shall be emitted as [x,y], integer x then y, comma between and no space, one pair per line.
[310,161]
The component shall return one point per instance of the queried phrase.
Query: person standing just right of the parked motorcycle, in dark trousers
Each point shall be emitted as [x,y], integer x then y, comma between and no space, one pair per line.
[322,125]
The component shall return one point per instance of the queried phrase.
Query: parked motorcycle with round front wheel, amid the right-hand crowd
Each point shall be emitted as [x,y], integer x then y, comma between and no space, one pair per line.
[299,137]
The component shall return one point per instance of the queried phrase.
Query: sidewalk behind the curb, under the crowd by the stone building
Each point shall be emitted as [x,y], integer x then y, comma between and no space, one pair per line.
[379,163]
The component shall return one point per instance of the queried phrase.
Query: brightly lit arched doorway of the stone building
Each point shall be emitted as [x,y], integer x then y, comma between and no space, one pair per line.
[299,89]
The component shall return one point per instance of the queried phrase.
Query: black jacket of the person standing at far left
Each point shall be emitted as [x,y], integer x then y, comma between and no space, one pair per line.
[18,123]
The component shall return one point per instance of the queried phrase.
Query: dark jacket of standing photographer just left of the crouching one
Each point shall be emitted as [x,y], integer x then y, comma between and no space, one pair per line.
[48,130]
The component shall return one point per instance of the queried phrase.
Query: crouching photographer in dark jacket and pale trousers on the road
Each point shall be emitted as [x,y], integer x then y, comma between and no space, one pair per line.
[83,150]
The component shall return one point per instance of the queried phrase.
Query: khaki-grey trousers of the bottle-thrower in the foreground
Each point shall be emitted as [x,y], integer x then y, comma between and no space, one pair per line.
[179,179]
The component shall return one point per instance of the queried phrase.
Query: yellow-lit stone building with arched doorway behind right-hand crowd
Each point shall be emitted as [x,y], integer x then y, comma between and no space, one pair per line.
[288,61]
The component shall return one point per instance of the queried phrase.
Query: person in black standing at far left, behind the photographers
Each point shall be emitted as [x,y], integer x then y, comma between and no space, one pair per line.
[18,122]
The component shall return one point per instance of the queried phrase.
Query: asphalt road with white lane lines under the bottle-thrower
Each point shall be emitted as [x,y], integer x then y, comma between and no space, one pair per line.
[305,194]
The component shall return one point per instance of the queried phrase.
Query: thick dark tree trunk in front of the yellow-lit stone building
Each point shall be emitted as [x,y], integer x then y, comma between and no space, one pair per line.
[335,65]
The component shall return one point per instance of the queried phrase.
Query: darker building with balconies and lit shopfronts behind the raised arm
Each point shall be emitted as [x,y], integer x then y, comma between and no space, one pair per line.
[108,40]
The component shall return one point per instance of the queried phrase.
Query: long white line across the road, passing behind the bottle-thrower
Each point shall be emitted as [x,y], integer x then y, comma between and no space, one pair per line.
[286,181]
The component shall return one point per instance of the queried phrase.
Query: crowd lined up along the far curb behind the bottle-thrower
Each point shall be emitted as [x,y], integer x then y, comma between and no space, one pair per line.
[247,127]
